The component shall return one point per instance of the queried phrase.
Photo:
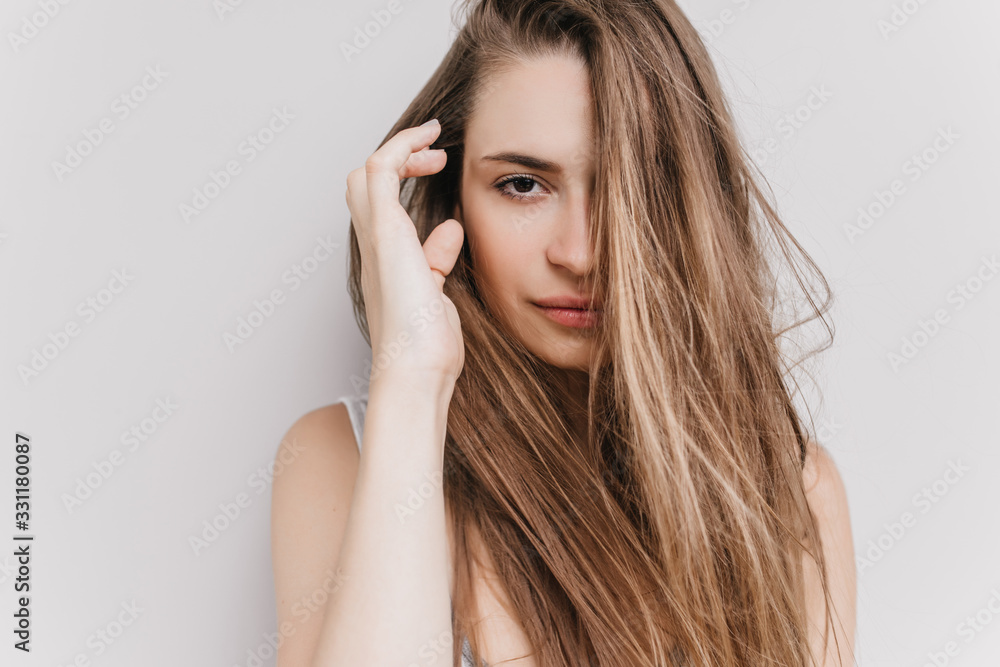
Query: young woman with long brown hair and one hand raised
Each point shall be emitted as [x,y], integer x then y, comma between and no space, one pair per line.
[579,446]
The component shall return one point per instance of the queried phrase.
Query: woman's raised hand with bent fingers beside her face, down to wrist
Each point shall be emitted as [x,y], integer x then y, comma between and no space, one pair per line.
[415,328]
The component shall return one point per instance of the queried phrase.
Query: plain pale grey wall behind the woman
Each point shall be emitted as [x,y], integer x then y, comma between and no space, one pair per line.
[887,107]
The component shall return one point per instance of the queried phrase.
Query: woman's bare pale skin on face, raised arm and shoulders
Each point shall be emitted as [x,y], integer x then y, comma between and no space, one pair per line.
[333,507]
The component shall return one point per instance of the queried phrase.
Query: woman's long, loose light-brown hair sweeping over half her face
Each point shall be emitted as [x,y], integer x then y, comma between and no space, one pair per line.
[675,533]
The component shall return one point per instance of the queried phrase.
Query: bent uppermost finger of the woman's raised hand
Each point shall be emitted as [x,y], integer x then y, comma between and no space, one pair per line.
[384,168]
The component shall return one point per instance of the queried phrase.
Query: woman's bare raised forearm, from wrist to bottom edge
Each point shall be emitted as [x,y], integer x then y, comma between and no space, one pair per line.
[394,605]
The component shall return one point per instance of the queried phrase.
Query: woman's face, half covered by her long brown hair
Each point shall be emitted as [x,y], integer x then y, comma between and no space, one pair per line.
[527,178]
